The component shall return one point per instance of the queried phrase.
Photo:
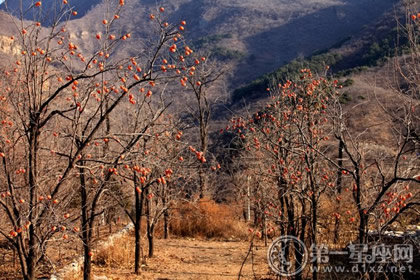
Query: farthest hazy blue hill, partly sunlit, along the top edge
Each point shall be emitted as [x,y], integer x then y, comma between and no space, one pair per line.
[255,36]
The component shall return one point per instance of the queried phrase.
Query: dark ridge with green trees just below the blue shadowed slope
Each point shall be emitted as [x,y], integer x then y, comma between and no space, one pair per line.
[367,48]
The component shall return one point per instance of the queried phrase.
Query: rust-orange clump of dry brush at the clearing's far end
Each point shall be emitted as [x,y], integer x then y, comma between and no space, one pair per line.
[208,219]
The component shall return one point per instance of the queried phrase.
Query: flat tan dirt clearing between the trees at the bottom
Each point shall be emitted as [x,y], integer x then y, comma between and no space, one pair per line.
[197,259]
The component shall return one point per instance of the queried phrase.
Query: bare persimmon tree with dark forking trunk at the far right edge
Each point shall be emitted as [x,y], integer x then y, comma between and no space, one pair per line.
[384,182]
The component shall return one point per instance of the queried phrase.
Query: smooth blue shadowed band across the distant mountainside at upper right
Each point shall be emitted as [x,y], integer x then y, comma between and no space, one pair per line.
[309,33]
